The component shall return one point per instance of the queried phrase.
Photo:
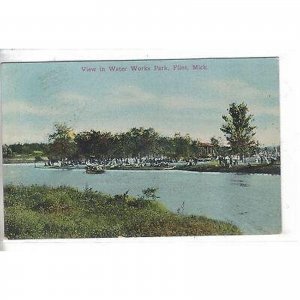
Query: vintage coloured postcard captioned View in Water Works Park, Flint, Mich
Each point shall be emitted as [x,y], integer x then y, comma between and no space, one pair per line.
[145,148]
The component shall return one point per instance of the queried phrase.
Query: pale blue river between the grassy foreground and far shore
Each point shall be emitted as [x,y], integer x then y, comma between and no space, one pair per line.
[250,201]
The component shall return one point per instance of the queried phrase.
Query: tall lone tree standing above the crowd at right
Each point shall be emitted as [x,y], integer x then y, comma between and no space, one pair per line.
[238,129]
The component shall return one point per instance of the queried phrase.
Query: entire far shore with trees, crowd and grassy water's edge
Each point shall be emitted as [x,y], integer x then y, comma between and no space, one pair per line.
[145,148]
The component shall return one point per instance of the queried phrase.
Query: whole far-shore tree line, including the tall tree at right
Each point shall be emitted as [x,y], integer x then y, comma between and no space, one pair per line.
[140,142]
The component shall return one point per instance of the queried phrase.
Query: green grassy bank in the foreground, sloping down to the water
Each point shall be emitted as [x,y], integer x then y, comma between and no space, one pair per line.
[43,212]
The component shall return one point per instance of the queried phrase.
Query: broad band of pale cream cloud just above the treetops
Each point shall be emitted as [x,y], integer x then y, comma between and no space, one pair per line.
[126,106]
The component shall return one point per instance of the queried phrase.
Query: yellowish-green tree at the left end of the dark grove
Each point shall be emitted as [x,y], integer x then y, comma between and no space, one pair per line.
[62,144]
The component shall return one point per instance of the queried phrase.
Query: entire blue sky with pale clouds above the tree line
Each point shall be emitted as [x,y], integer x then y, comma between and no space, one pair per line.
[174,97]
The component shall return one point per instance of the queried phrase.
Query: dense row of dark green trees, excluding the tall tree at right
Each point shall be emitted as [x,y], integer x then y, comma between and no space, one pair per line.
[137,142]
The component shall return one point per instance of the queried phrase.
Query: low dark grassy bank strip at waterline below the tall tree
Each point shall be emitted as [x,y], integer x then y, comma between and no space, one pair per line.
[252,169]
